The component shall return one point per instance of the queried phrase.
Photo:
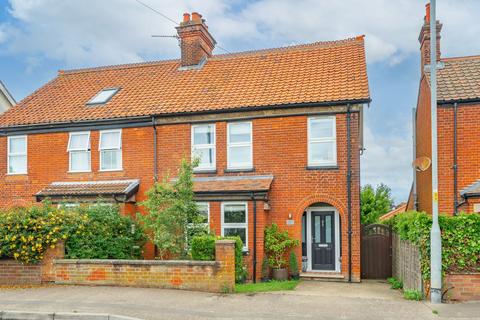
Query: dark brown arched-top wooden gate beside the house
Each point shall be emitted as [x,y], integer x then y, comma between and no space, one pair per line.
[376,251]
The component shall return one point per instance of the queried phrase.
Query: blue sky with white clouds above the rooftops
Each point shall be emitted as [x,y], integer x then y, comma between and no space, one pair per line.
[115,31]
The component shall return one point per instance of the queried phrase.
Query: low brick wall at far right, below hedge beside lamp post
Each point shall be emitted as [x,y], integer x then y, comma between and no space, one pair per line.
[463,287]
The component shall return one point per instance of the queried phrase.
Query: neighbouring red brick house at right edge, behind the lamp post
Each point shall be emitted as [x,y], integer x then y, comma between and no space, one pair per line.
[458,118]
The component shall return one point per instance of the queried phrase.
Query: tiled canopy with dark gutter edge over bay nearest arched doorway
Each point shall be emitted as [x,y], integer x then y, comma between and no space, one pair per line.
[232,187]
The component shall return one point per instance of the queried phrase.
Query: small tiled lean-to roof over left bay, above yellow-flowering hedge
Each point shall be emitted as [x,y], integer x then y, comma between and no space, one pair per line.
[90,188]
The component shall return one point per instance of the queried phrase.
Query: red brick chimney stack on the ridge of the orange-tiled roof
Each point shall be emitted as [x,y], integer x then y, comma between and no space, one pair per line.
[196,43]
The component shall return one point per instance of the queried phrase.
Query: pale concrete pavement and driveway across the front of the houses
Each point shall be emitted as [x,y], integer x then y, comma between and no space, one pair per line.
[312,300]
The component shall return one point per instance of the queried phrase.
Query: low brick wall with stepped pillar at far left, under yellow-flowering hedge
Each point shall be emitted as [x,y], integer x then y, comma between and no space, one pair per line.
[13,272]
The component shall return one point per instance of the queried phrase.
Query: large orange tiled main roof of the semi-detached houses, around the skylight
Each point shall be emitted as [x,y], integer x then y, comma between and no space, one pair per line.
[314,73]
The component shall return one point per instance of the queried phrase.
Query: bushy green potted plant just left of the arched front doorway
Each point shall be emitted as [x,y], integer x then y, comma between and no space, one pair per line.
[276,245]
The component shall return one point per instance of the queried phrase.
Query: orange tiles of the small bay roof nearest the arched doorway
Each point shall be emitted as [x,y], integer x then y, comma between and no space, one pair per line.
[232,184]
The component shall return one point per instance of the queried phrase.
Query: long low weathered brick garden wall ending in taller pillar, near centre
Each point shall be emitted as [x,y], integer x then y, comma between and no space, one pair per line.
[210,276]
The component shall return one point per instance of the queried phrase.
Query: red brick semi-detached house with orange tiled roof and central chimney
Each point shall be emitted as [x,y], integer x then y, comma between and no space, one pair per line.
[278,131]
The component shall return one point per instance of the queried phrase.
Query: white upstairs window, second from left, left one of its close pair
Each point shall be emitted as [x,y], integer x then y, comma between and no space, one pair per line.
[79,152]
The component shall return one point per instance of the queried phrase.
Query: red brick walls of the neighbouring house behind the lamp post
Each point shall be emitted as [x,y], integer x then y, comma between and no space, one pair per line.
[468,152]
